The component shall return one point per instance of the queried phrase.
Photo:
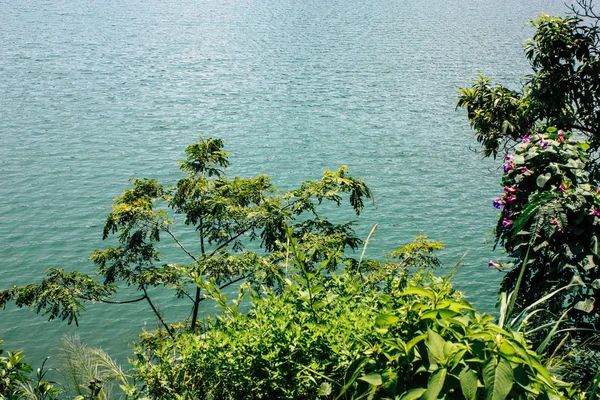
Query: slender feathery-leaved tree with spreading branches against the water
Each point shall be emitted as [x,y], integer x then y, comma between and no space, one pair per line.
[226,213]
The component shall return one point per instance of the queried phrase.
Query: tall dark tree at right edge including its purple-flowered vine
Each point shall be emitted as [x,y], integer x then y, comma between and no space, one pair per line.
[549,135]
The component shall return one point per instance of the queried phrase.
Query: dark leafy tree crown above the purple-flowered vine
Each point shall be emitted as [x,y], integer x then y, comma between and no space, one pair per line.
[563,91]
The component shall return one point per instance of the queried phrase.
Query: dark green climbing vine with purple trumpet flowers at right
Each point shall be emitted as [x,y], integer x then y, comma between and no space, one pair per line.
[550,221]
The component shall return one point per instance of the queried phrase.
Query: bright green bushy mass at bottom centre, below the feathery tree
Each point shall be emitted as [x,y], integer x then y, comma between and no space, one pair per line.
[384,333]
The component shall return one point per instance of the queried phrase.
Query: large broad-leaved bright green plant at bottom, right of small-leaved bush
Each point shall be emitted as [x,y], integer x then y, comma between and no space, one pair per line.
[436,346]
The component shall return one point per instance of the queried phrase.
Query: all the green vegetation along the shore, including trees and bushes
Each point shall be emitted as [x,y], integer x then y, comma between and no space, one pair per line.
[314,317]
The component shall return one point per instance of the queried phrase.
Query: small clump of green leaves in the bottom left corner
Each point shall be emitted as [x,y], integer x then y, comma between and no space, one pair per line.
[15,382]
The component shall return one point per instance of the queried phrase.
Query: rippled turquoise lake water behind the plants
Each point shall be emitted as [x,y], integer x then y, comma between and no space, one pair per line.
[93,93]
